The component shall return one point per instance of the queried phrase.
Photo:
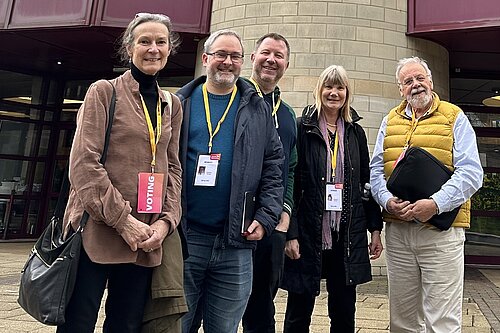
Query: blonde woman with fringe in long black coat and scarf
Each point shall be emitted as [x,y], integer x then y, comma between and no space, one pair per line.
[328,238]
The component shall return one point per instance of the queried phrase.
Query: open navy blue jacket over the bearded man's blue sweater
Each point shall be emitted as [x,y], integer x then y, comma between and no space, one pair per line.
[257,162]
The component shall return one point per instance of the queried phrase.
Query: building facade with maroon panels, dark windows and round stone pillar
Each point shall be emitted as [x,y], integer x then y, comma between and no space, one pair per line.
[50,55]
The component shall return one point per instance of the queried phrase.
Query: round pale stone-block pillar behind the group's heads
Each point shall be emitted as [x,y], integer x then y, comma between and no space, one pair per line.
[367,37]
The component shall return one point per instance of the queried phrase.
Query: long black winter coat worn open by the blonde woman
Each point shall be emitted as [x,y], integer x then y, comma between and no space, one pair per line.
[304,275]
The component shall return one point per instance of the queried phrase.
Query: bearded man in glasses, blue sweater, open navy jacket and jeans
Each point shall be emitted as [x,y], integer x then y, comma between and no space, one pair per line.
[227,132]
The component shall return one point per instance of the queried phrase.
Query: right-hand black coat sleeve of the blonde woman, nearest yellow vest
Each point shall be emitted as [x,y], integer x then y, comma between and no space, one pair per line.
[373,211]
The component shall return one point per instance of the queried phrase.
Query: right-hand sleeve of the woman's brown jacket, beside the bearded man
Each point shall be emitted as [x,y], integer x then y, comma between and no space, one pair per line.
[172,206]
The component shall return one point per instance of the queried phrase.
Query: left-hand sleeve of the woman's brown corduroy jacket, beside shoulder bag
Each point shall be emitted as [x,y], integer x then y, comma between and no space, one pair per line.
[89,178]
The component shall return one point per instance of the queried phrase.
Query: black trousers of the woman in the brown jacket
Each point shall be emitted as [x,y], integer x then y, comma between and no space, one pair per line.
[128,287]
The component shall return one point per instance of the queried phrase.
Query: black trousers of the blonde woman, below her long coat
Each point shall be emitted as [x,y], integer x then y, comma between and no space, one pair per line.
[341,298]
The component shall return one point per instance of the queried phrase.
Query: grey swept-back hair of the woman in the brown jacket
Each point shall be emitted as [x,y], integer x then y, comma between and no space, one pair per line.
[127,38]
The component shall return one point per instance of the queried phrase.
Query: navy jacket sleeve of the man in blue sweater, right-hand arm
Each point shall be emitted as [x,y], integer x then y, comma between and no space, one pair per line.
[270,198]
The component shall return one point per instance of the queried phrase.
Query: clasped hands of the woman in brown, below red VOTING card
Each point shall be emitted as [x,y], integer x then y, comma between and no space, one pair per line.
[139,235]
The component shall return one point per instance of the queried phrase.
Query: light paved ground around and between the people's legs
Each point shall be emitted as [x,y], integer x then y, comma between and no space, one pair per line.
[481,310]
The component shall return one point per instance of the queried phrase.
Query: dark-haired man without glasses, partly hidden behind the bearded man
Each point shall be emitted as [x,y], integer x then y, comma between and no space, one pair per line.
[269,63]
